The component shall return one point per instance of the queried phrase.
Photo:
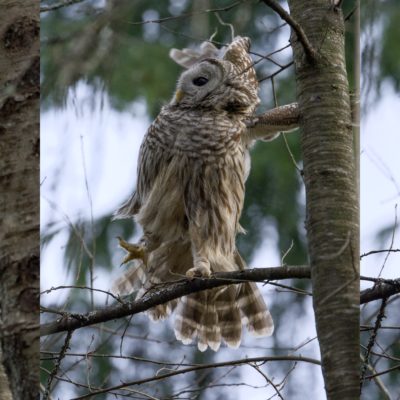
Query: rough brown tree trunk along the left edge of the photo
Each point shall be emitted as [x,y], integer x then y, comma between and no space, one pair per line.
[19,207]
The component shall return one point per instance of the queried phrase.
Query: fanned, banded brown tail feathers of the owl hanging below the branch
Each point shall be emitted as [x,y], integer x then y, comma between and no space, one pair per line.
[218,314]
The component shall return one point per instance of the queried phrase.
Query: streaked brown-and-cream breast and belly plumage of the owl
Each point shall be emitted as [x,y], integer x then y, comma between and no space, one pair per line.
[201,178]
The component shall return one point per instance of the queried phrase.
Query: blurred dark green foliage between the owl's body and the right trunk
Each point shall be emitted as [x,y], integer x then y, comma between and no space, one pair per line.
[272,191]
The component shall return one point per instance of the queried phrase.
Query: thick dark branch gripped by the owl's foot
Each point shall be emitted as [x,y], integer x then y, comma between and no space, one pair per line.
[169,292]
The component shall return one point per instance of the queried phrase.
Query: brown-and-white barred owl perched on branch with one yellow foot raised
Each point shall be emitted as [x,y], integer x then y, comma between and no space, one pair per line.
[192,167]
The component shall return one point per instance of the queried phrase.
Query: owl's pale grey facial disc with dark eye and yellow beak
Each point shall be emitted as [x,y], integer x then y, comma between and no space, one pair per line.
[198,83]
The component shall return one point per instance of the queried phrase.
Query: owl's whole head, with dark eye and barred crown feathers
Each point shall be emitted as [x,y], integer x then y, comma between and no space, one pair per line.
[228,83]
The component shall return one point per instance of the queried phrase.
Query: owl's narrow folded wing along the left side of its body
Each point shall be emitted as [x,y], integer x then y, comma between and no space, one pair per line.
[150,162]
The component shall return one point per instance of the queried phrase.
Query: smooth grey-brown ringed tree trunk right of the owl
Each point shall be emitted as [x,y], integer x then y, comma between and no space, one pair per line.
[332,204]
